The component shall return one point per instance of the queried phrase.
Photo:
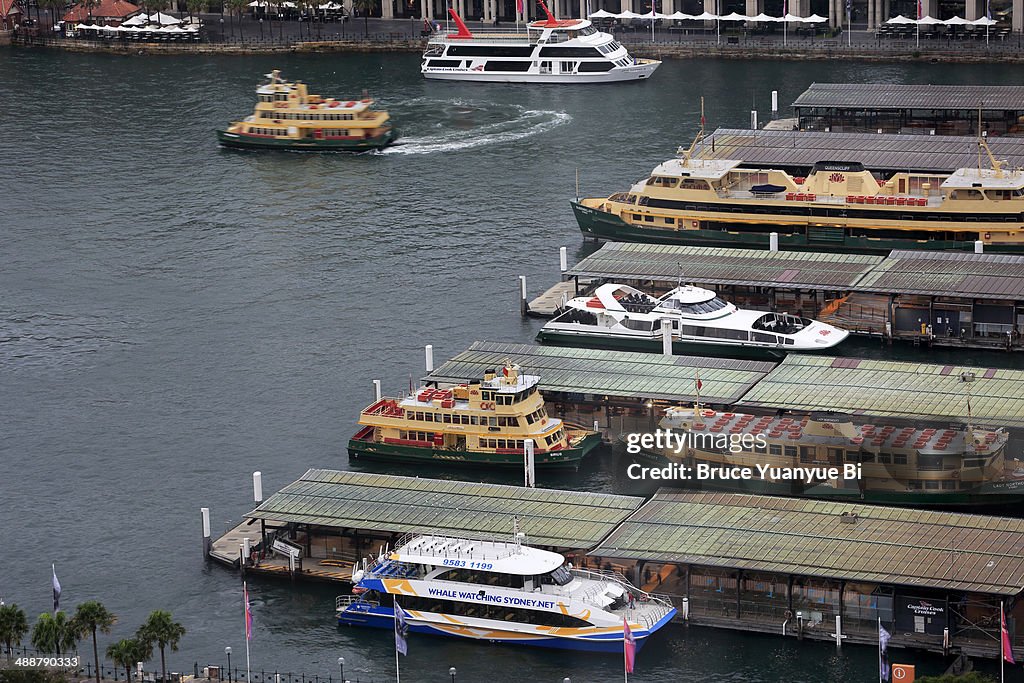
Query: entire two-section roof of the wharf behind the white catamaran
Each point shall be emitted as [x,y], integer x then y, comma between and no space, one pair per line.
[903,272]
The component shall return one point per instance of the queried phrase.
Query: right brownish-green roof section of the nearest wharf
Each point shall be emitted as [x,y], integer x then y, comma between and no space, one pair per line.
[910,547]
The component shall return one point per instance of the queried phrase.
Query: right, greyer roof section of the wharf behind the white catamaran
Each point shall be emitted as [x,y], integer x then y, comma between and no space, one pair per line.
[987,276]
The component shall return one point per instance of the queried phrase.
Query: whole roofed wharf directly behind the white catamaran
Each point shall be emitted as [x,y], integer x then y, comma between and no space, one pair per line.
[927,298]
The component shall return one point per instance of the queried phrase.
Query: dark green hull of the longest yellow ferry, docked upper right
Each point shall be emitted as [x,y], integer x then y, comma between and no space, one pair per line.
[604,226]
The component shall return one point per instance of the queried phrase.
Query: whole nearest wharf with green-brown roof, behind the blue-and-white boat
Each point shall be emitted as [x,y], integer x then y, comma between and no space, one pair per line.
[798,568]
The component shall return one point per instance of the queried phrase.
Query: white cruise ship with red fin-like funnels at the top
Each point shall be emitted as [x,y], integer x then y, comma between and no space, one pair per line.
[551,52]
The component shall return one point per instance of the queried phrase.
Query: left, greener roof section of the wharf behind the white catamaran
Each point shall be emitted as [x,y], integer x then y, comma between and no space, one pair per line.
[727,267]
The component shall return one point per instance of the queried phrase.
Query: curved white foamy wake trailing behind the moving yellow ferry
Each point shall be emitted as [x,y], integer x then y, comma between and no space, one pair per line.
[464,125]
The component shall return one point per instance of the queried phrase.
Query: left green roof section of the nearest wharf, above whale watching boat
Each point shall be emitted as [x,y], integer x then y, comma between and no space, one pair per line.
[402,505]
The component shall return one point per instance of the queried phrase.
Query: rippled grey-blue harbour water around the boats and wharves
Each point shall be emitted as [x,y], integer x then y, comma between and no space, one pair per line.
[176,316]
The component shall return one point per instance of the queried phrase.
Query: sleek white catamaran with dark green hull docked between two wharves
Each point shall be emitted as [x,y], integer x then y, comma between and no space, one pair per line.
[621,317]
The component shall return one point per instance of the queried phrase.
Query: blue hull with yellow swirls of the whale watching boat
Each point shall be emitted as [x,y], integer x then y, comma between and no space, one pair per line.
[383,618]
